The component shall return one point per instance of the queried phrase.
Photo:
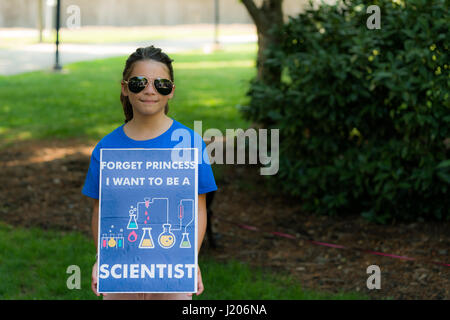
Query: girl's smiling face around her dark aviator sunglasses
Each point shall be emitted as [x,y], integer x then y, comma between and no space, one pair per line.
[148,102]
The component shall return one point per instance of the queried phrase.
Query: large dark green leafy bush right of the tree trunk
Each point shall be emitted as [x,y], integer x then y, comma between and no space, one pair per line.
[363,114]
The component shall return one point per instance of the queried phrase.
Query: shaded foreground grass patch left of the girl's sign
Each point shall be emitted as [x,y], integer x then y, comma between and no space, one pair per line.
[34,263]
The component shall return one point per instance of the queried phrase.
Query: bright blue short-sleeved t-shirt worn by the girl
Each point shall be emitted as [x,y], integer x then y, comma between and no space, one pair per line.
[178,135]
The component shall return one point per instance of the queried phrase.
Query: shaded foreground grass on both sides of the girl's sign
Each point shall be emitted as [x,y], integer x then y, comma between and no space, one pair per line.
[33,265]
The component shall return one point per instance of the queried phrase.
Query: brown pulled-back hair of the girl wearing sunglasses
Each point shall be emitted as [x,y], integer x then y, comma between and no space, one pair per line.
[147,53]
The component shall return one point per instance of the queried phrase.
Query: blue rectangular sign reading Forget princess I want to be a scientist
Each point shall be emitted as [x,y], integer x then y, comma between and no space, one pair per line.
[148,220]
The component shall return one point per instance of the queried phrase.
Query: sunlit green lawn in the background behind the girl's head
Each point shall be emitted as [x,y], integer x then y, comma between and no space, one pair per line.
[84,100]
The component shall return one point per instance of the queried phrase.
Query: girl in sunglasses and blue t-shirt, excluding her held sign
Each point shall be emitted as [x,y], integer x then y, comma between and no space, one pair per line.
[147,86]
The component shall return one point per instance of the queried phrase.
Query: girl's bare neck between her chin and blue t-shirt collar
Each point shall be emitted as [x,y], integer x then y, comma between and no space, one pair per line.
[145,128]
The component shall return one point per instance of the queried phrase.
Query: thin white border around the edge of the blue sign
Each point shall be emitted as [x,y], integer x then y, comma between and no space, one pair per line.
[195,224]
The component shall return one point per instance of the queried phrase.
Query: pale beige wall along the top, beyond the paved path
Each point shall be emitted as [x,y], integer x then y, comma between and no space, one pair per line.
[24,14]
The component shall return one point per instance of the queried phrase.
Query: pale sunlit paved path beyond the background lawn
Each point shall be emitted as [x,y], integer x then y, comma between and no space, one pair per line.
[42,56]
